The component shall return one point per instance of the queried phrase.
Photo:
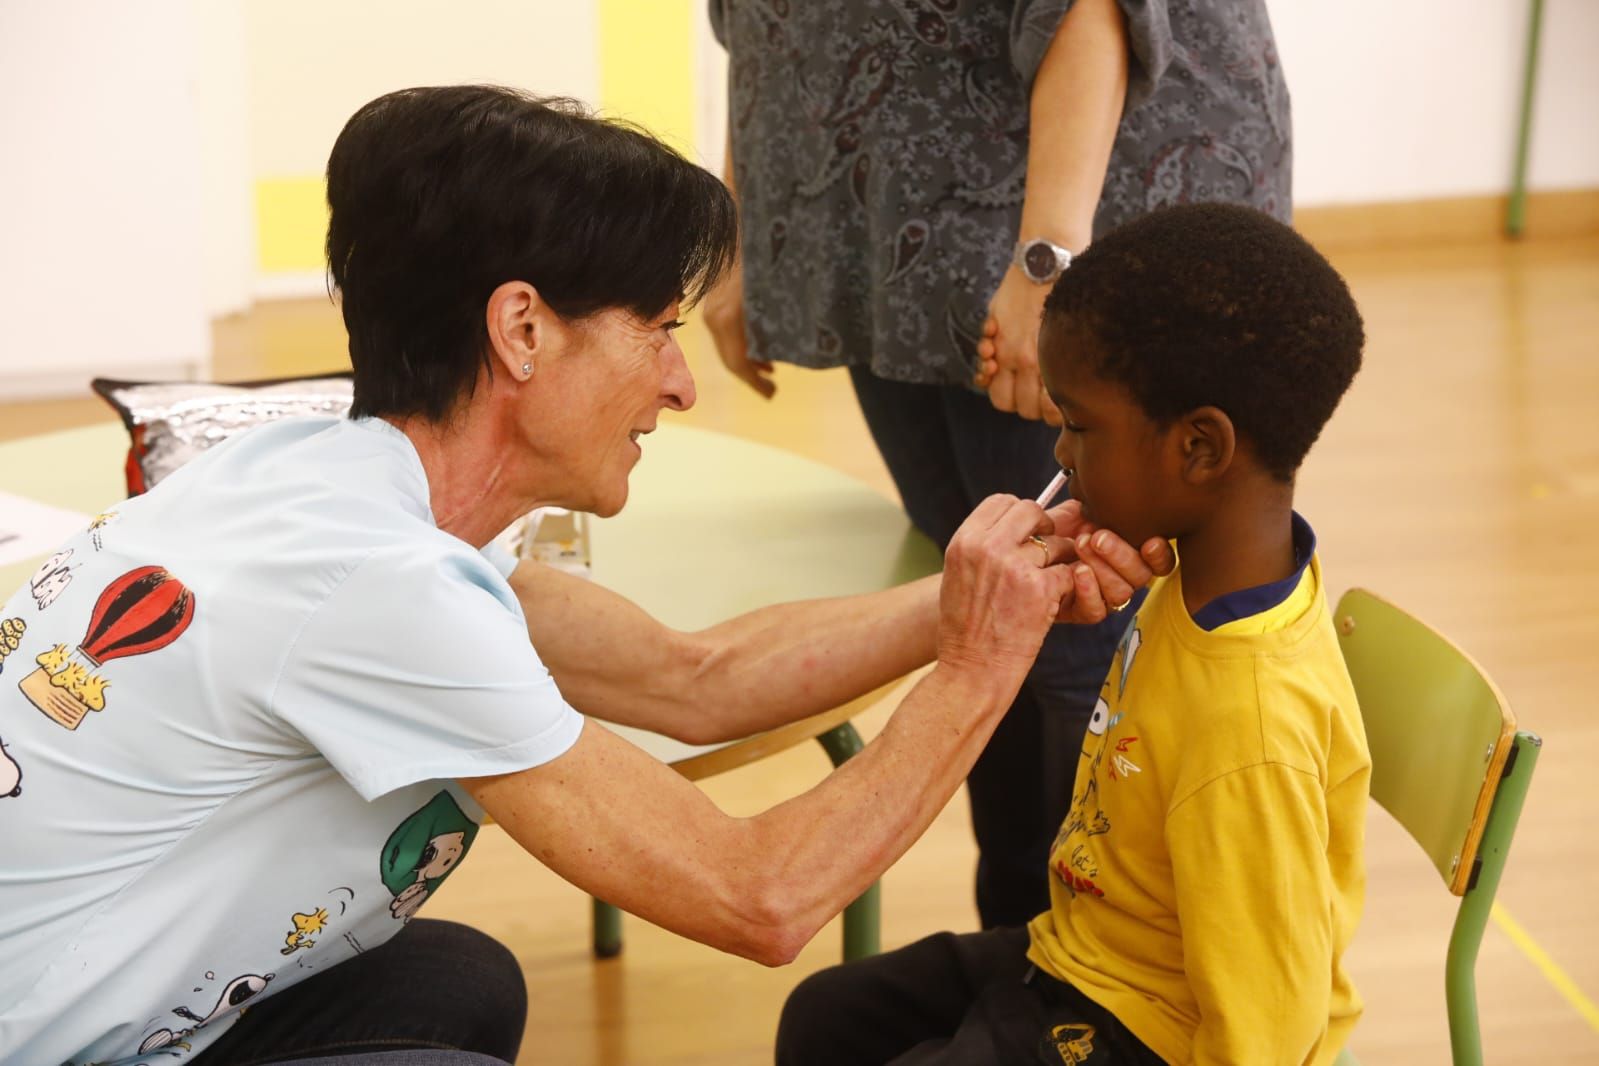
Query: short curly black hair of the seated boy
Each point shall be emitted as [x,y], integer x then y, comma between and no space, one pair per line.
[1218,304]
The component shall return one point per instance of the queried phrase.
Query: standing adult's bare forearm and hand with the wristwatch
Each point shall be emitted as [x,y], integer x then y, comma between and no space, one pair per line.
[1077,108]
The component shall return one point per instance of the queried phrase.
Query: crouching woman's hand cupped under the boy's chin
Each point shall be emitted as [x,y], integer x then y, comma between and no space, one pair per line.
[1106,570]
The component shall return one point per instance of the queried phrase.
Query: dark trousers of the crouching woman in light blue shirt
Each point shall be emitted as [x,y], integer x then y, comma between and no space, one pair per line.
[436,995]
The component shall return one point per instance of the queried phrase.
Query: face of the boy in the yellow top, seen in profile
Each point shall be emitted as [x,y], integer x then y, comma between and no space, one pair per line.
[1120,458]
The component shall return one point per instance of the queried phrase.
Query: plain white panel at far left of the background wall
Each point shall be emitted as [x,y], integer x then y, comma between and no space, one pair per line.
[100,191]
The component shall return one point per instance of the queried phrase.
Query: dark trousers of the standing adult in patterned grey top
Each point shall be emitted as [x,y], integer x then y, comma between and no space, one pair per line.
[949,450]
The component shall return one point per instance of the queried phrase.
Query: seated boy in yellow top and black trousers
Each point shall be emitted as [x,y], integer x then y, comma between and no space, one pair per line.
[1210,877]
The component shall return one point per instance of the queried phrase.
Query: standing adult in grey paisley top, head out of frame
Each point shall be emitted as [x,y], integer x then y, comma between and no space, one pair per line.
[912,178]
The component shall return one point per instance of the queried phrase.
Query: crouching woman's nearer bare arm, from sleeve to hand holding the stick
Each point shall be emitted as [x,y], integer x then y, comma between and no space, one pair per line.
[626,829]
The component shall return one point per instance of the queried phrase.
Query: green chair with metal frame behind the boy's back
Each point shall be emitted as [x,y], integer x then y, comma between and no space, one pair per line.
[1449,765]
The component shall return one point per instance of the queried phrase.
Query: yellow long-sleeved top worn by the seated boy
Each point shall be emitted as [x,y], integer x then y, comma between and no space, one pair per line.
[1210,877]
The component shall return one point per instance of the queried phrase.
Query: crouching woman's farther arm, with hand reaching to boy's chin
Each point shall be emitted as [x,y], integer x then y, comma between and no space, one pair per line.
[780,664]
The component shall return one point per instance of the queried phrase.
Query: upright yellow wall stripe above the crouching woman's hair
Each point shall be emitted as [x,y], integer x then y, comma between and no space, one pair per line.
[647,66]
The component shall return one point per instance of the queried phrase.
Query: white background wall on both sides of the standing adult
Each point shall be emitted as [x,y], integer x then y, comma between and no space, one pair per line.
[135,133]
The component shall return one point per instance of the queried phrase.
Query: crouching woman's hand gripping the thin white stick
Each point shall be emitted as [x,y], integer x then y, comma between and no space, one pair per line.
[1000,595]
